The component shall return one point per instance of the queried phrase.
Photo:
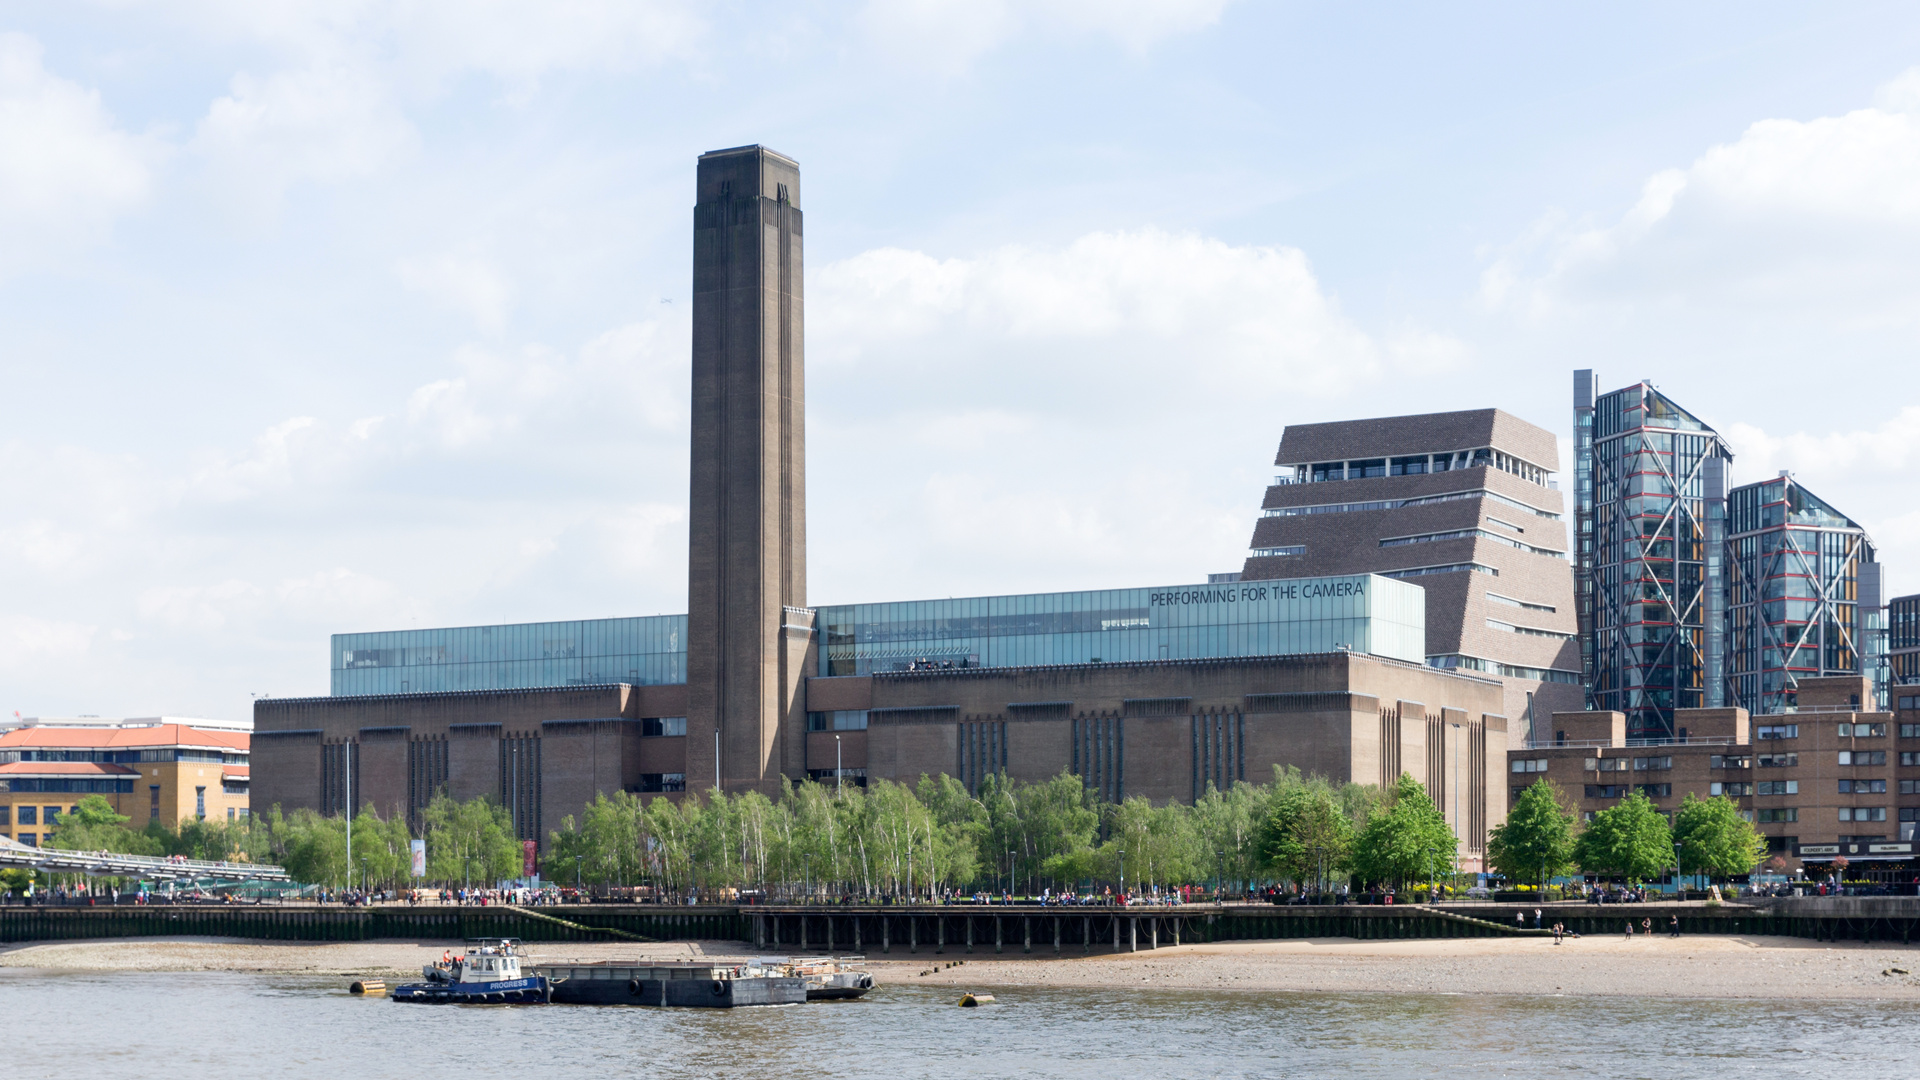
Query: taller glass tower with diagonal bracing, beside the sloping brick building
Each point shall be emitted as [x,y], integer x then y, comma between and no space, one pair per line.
[1646,560]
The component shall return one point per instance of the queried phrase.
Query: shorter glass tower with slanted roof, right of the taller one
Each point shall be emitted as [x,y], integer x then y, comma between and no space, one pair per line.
[1804,597]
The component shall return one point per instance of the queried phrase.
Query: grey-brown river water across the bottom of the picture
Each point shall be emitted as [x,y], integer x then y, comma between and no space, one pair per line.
[216,1027]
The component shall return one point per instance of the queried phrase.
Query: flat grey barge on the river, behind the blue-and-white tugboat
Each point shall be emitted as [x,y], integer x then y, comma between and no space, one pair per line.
[698,985]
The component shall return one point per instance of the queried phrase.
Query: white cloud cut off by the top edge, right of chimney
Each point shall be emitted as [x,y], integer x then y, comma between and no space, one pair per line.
[948,36]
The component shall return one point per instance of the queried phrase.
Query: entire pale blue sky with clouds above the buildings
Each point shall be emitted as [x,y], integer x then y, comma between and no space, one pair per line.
[345,316]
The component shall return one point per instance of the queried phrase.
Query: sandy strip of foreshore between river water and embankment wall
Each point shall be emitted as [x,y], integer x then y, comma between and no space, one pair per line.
[1595,966]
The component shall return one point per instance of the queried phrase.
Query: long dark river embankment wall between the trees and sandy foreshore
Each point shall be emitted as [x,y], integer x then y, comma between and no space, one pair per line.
[959,929]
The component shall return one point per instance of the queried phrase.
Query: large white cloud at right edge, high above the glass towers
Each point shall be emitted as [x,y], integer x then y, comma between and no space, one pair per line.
[1819,216]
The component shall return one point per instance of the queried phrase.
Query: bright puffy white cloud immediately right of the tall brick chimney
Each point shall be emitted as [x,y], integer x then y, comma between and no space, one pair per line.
[1145,318]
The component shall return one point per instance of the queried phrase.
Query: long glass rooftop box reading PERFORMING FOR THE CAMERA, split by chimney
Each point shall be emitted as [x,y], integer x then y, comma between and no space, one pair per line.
[1193,622]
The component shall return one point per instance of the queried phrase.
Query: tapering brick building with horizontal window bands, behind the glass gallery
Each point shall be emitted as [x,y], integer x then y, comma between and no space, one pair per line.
[1460,504]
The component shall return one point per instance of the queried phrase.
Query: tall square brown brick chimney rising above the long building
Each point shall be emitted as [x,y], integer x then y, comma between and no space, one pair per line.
[748,629]
